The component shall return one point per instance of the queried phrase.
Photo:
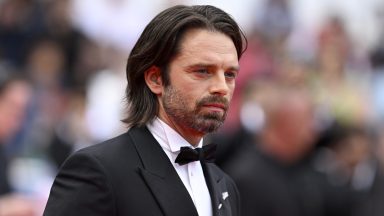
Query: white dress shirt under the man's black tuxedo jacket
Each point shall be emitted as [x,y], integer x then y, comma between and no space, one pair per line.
[191,174]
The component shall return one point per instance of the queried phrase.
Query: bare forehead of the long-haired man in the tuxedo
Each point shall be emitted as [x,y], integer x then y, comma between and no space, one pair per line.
[206,45]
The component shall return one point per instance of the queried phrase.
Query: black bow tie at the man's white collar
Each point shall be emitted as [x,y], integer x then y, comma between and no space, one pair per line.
[187,154]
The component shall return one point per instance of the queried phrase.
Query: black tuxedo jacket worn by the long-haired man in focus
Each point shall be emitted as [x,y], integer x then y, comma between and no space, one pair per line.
[131,175]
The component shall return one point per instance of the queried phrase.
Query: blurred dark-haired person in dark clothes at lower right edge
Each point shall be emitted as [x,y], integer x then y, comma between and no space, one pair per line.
[349,157]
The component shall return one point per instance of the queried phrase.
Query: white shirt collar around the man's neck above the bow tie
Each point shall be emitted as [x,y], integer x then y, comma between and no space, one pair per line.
[171,140]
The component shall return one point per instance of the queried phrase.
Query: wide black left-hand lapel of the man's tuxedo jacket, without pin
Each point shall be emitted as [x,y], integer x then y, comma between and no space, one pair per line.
[160,175]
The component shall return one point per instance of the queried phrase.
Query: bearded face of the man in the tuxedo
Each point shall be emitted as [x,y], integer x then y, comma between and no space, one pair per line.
[202,80]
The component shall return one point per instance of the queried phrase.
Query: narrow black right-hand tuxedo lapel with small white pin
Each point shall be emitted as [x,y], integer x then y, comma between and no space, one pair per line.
[218,190]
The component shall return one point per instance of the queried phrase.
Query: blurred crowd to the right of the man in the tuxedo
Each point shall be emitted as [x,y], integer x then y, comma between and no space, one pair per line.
[306,134]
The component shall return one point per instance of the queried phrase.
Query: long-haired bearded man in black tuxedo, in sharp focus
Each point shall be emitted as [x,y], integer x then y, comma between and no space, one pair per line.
[181,76]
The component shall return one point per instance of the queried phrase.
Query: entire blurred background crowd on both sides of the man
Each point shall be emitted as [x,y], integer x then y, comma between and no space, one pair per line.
[304,135]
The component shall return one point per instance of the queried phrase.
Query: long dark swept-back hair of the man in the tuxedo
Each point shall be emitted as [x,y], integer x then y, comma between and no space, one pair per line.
[159,43]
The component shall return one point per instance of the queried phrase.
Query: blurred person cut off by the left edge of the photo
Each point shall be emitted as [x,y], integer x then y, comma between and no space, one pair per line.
[15,94]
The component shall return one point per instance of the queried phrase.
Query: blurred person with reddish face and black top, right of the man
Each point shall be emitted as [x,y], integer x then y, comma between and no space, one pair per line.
[273,172]
